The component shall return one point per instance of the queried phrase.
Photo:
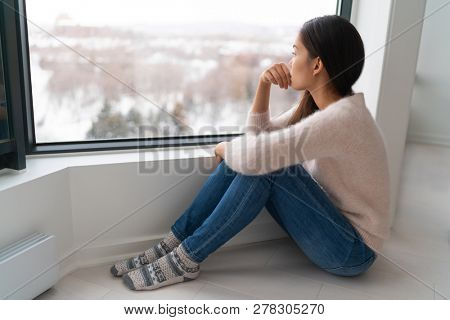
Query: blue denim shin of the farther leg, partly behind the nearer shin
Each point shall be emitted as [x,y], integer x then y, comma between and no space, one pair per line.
[205,201]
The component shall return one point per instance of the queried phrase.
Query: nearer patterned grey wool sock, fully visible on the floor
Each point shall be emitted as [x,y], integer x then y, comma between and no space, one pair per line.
[174,267]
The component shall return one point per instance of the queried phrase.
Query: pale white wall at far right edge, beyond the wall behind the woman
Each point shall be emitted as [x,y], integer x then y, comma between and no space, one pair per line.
[430,108]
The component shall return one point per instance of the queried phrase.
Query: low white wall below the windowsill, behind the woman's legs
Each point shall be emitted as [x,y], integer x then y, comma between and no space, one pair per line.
[76,204]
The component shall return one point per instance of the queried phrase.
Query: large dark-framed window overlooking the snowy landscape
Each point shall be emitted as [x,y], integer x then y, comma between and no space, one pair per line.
[93,72]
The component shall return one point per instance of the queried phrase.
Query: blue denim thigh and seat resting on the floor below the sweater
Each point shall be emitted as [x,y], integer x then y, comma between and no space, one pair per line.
[303,208]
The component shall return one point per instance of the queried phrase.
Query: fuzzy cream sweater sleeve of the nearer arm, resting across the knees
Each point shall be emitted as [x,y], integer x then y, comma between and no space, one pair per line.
[325,133]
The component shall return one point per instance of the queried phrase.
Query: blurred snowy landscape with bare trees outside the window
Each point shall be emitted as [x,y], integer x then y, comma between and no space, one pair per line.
[104,81]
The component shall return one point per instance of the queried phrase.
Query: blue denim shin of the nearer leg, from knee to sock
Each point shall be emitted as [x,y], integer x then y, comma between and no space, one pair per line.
[241,203]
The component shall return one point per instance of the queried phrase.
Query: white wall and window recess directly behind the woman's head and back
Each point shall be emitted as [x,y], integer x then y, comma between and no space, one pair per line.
[388,81]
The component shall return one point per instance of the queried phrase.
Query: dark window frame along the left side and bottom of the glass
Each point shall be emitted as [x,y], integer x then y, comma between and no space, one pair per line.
[23,117]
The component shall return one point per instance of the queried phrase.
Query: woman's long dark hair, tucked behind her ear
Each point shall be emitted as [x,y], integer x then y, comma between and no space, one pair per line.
[340,47]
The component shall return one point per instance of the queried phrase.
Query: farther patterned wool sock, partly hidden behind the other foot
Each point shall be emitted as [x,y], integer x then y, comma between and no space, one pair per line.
[159,250]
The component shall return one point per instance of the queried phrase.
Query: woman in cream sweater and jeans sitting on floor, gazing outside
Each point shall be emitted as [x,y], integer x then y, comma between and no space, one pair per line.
[320,169]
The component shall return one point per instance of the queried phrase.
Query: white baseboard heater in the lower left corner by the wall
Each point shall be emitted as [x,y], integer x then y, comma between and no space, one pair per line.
[24,260]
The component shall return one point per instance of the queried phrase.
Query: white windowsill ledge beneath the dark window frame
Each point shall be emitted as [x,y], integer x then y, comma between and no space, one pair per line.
[42,165]
